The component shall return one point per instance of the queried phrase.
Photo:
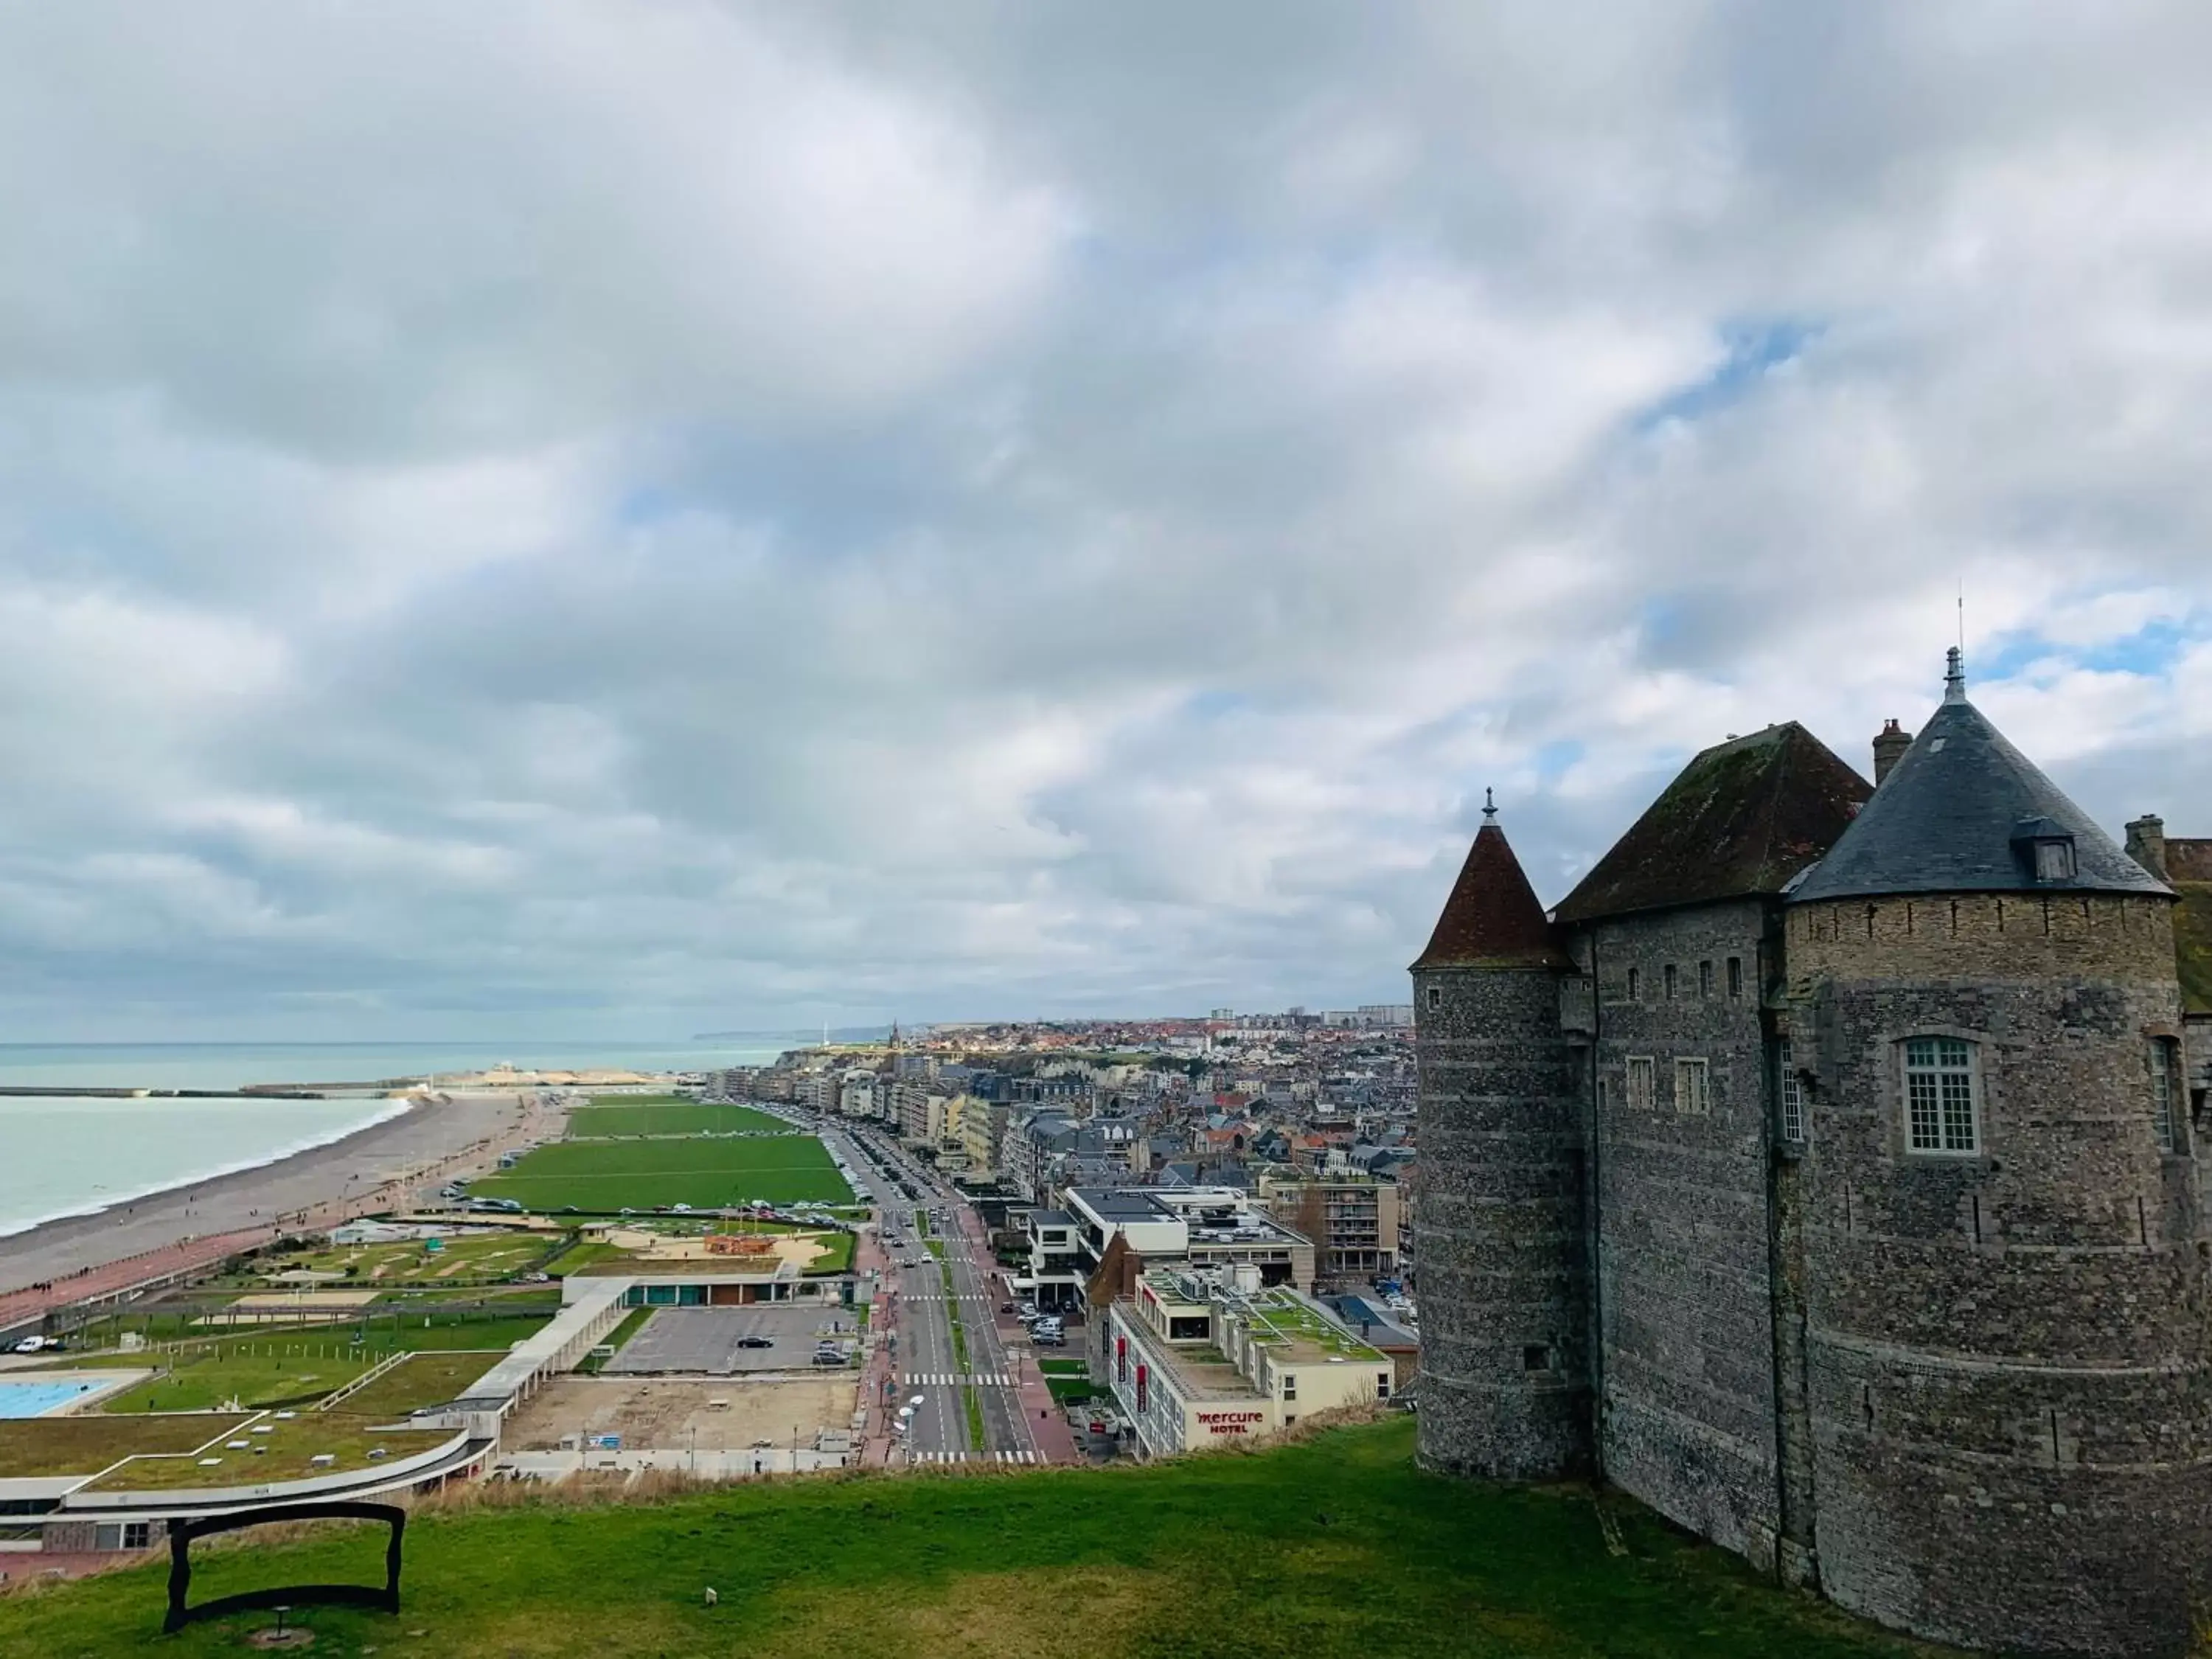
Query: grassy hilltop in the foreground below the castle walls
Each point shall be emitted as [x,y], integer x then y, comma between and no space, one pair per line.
[1326,1547]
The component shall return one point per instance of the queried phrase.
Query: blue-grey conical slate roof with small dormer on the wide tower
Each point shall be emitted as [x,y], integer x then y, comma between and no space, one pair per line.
[1959,815]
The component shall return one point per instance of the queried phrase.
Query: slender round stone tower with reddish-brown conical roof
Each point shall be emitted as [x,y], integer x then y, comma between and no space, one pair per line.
[1499,1209]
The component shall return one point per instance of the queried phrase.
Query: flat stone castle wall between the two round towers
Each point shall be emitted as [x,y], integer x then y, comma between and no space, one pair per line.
[1687,1293]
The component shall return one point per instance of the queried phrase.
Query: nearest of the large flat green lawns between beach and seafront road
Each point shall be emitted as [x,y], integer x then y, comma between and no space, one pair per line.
[705,1173]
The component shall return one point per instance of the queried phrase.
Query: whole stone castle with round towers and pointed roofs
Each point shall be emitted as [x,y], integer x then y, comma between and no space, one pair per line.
[1822,1171]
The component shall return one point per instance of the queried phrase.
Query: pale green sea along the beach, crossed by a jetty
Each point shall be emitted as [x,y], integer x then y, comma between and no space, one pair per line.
[72,1154]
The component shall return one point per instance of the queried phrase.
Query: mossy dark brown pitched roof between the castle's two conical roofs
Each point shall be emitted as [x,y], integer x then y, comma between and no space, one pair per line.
[1742,820]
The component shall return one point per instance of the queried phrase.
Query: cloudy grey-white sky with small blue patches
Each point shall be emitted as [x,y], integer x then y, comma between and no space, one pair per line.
[616,521]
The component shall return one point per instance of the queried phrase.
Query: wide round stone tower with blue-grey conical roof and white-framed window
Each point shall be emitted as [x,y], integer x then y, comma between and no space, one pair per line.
[2005,1277]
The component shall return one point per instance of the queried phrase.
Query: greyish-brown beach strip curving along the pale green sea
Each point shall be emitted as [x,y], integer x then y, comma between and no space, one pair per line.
[373,1169]
